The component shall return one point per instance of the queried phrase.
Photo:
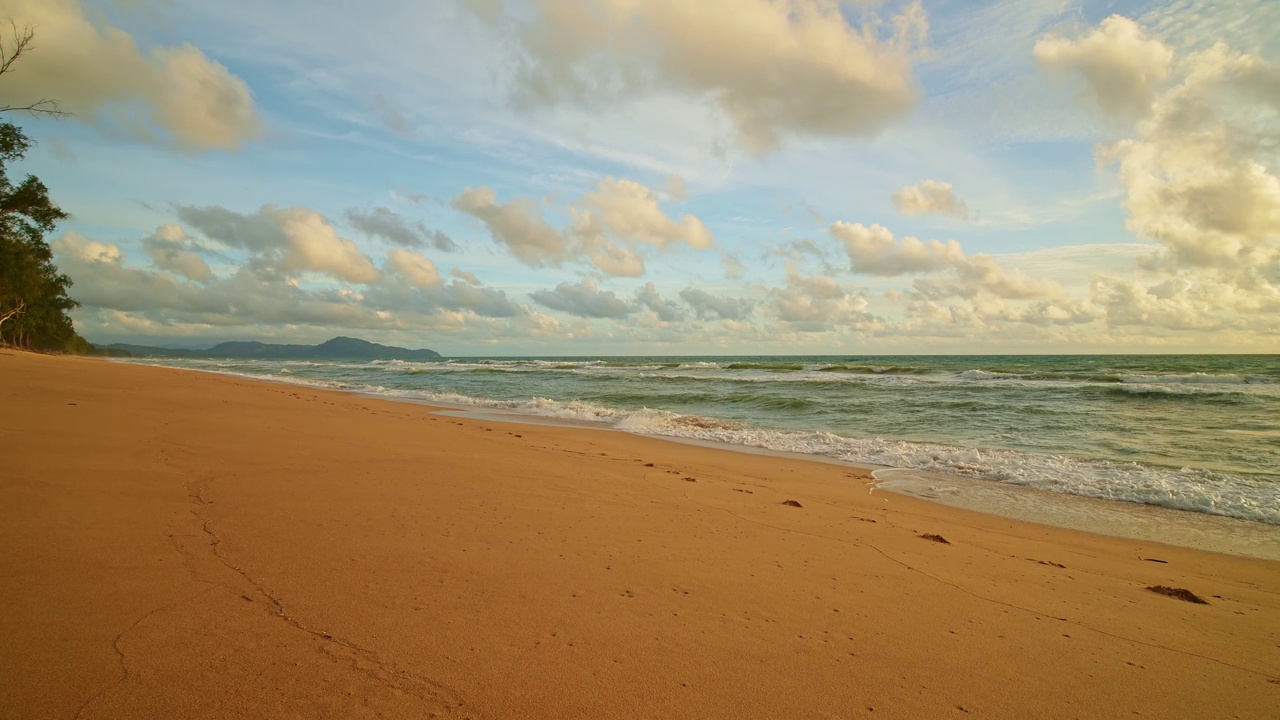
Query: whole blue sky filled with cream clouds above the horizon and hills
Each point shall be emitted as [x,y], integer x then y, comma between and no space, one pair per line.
[665,177]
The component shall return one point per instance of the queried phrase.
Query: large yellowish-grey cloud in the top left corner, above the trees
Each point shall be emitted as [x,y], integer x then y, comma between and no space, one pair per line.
[170,95]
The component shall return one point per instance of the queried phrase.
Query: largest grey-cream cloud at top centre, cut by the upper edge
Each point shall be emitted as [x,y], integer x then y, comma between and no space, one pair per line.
[772,67]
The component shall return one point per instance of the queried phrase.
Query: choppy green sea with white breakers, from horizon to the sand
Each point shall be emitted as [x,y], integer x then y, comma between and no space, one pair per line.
[1181,449]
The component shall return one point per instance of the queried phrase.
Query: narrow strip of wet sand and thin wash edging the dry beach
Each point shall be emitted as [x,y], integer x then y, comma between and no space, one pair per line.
[1114,518]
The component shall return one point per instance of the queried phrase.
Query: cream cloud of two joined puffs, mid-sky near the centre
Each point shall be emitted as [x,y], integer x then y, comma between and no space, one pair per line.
[611,227]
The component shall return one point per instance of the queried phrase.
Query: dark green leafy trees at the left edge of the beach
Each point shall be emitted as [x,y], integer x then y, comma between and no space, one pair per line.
[34,300]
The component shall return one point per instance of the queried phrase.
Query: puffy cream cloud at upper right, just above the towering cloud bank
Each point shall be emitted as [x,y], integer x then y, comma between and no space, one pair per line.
[1122,67]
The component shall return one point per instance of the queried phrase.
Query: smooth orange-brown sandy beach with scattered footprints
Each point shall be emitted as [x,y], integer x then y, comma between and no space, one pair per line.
[186,545]
